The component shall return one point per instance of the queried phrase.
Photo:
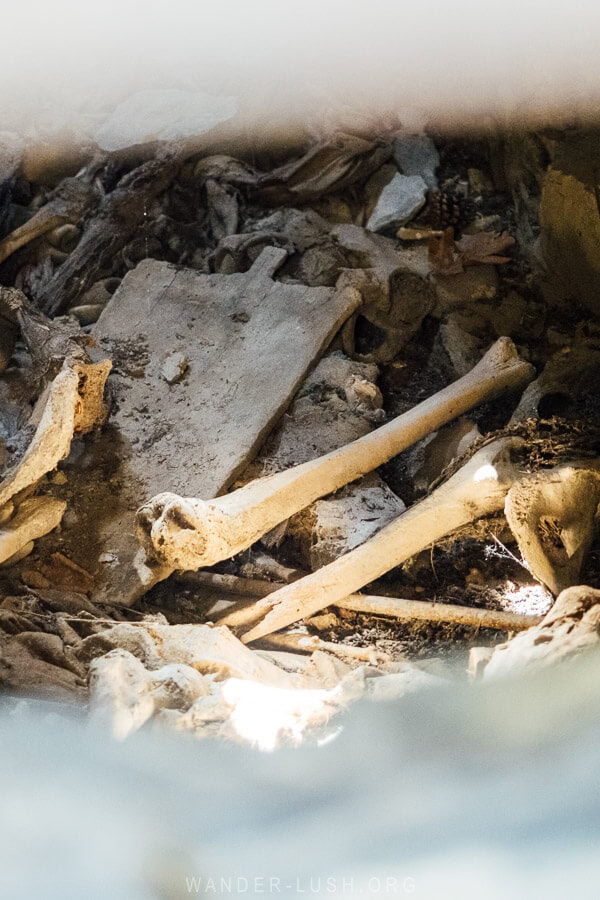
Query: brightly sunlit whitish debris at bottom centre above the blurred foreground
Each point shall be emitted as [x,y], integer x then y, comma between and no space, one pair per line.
[213,689]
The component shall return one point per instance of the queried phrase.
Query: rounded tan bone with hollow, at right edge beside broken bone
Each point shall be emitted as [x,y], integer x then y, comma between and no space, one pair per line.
[552,516]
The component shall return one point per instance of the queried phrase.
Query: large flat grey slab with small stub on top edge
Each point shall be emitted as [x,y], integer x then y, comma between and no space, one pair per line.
[204,365]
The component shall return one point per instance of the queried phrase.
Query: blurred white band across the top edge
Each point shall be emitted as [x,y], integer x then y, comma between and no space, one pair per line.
[69,65]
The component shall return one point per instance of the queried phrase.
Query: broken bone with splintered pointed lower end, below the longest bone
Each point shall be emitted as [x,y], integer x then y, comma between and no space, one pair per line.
[476,490]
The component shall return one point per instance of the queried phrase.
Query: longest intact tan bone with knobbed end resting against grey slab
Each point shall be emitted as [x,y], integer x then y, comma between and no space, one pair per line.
[188,533]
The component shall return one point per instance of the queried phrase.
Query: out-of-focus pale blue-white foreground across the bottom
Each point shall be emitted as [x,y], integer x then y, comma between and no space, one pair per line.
[461,793]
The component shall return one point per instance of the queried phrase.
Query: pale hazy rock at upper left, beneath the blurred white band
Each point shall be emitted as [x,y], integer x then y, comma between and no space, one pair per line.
[162,115]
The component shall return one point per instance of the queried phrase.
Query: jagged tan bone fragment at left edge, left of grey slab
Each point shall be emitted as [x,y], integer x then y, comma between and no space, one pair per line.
[73,404]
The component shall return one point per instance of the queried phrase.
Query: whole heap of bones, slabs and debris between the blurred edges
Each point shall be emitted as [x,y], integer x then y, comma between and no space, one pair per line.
[323,371]
